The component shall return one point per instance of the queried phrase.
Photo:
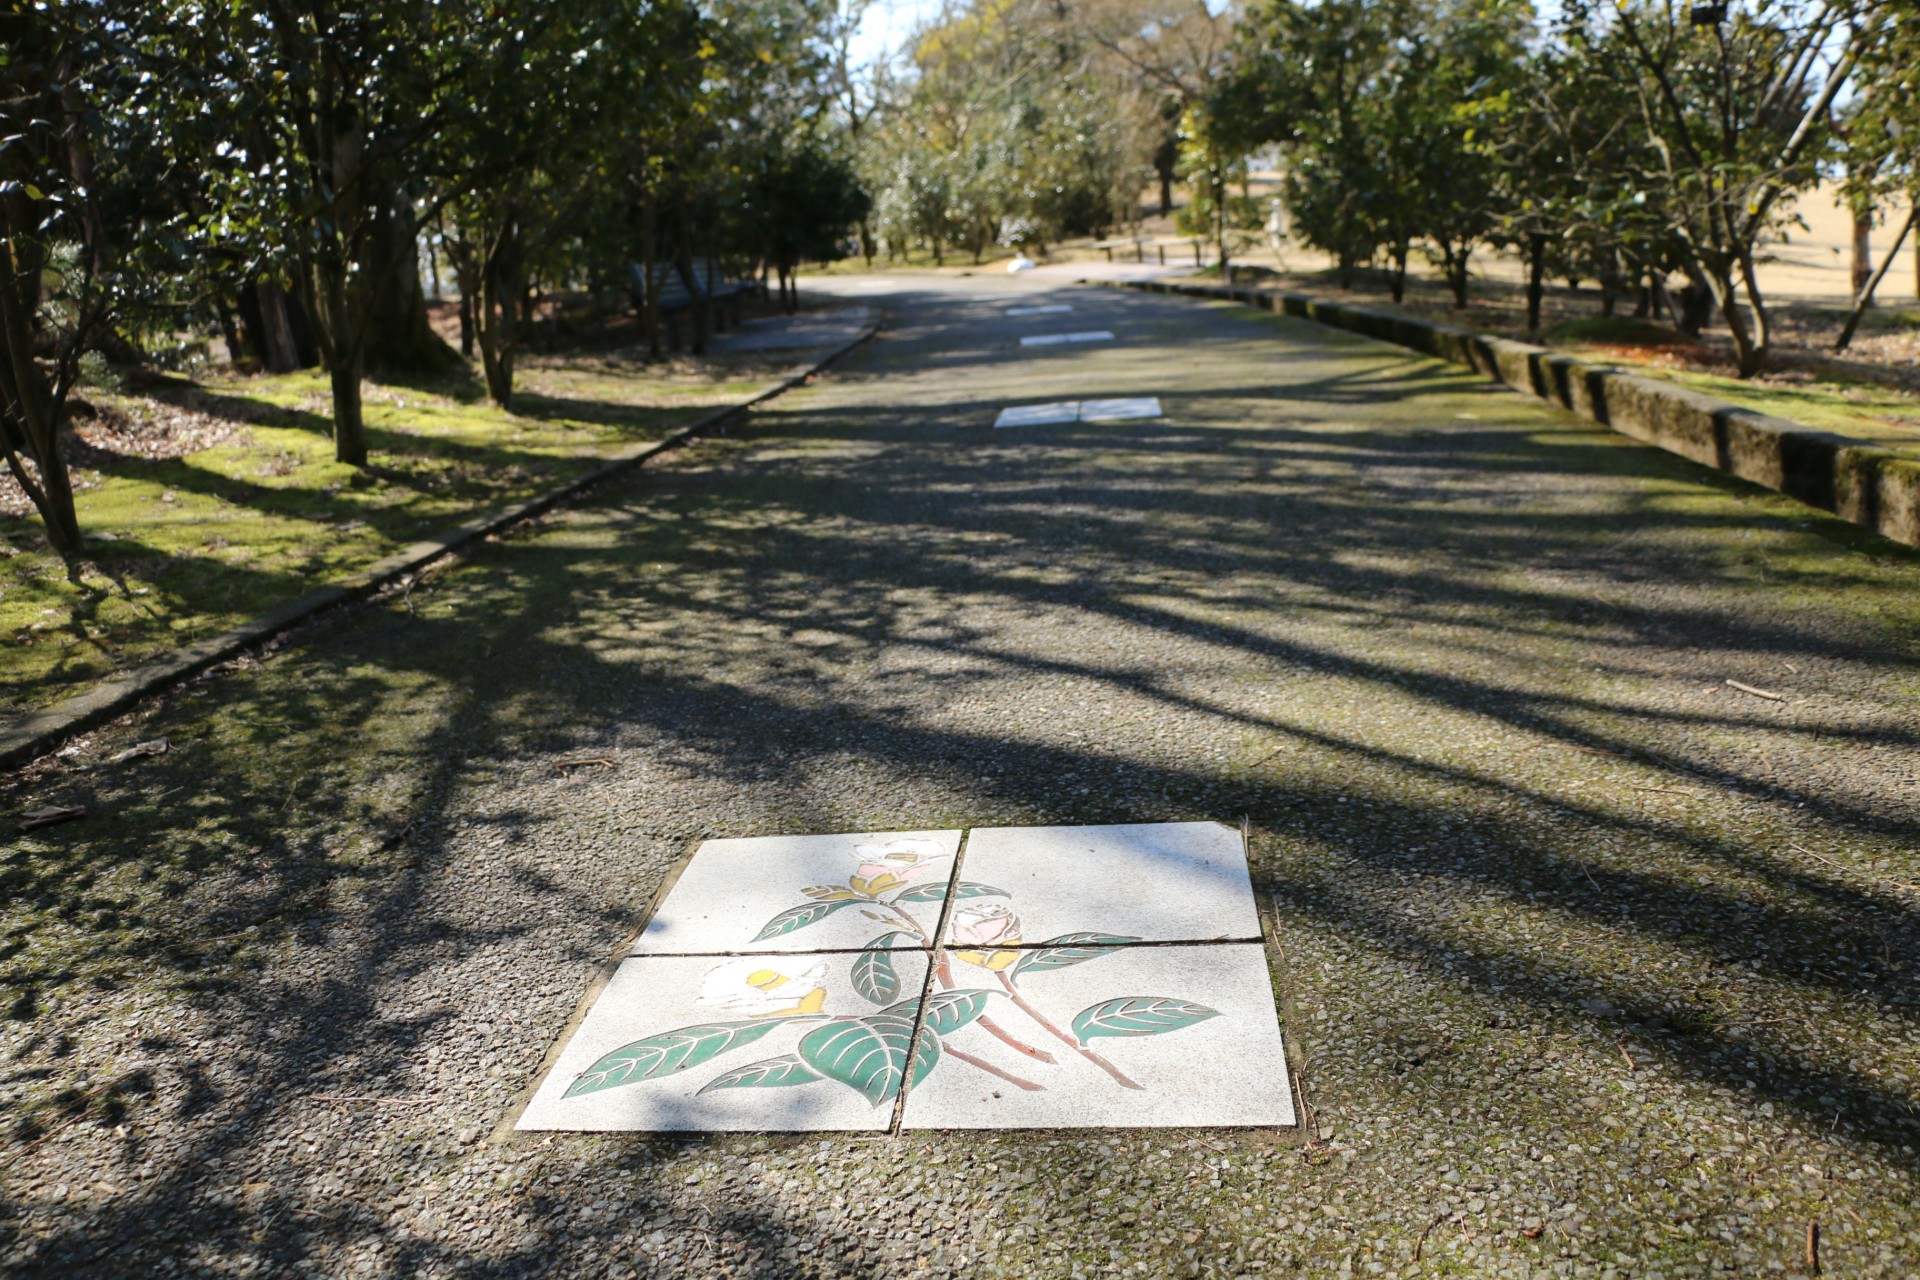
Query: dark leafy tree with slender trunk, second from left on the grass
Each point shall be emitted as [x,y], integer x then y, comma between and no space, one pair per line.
[312,128]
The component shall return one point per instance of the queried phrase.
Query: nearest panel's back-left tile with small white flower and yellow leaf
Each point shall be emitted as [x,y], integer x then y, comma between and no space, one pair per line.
[805,893]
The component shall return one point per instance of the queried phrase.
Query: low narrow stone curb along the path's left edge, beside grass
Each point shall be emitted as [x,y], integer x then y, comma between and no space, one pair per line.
[41,732]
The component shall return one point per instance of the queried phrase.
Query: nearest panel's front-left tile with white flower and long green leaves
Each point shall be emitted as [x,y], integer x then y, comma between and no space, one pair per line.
[738,1043]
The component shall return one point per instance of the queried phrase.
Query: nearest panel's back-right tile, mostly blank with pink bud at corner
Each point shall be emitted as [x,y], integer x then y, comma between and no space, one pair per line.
[1182,882]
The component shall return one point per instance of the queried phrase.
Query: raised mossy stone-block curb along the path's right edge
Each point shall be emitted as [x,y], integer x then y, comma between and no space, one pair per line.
[1856,481]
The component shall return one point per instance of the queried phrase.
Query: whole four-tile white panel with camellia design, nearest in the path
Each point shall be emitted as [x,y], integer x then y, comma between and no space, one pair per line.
[1084,978]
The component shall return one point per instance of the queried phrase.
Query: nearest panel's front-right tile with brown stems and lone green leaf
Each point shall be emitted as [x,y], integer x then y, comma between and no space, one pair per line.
[1140,1035]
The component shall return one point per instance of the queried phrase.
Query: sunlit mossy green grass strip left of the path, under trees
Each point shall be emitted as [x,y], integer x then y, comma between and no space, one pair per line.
[185,548]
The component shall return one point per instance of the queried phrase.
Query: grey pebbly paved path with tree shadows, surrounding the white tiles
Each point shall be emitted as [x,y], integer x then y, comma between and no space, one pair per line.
[1593,964]
